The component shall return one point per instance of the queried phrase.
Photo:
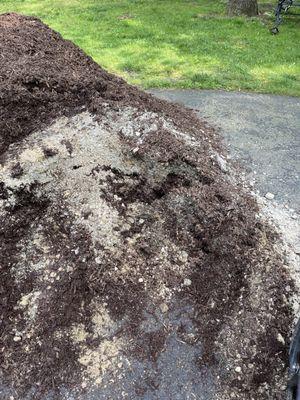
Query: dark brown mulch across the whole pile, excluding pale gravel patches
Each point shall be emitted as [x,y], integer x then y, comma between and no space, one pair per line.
[43,77]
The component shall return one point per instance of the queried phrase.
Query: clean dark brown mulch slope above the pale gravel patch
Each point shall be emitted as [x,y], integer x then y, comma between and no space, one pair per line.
[43,76]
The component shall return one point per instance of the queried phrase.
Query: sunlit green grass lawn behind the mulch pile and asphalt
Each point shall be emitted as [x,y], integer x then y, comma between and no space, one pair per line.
[178,43]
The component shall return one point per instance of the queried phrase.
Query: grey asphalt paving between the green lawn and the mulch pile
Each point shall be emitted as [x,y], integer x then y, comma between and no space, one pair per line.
[263,131]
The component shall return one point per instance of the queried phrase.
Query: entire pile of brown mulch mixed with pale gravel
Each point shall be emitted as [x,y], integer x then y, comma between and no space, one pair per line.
[115,209]
